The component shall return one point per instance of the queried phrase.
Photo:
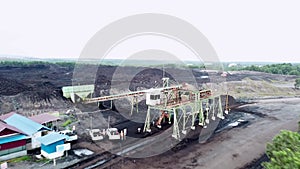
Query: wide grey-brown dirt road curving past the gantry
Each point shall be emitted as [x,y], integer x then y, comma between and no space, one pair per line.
[234,148]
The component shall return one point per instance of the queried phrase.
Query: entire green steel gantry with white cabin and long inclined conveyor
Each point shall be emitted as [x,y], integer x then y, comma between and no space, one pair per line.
[180,104]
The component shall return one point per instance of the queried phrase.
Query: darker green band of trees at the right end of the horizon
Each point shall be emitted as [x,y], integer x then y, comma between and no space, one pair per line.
[282,68]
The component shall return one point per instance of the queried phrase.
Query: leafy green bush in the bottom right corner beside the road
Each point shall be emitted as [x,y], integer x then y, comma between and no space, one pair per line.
[284,151]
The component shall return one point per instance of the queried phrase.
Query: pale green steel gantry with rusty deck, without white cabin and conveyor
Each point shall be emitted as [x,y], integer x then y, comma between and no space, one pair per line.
[184,107]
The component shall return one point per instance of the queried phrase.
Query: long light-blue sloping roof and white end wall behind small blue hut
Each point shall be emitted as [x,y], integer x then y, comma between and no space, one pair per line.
[29,127]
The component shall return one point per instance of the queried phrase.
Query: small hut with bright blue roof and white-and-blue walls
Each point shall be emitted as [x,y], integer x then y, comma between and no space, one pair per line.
[53,145]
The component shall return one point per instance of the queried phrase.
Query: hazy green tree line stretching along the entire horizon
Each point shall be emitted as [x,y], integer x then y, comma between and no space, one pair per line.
[282,68]
